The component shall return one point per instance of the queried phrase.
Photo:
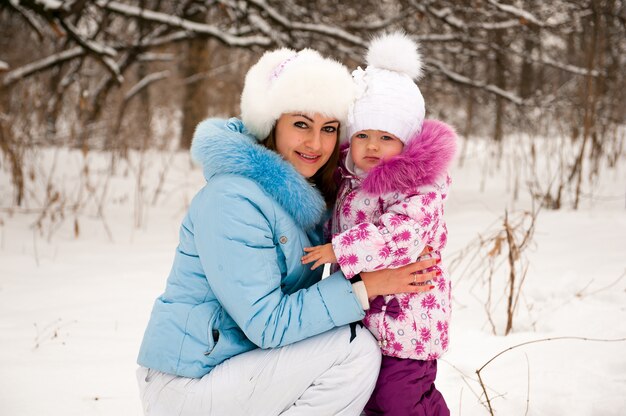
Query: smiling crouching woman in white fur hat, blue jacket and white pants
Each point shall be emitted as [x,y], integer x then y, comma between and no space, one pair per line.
[243,327]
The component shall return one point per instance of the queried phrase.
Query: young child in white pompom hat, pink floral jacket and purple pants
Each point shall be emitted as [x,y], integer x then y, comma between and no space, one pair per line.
[389,209]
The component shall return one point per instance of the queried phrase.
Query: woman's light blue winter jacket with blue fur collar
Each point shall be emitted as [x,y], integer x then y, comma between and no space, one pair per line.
[237,282]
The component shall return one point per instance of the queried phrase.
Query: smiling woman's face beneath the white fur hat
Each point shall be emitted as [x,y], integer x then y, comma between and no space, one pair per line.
[306,140]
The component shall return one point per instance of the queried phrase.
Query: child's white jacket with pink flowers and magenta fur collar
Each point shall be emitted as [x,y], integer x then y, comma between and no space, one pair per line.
[385,221]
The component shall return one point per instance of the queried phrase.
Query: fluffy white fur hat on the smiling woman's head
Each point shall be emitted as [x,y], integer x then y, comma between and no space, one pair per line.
[286,81]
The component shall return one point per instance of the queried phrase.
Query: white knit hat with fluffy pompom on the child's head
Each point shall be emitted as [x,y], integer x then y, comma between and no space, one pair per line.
[387,97]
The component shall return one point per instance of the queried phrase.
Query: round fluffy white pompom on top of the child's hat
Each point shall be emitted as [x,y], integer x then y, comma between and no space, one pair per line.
[395,52]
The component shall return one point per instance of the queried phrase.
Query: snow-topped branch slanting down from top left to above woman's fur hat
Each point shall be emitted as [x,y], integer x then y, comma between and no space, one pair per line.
[175,21]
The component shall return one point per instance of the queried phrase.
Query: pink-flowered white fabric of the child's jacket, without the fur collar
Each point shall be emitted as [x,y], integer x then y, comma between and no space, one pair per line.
[388,231]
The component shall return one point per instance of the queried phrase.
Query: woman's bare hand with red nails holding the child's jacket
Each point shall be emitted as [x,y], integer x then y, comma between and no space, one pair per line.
[406,279]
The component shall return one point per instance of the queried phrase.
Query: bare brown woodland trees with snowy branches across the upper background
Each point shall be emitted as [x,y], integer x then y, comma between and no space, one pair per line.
[514,65]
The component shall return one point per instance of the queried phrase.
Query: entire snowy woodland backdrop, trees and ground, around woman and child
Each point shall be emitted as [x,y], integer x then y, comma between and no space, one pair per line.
[87,236]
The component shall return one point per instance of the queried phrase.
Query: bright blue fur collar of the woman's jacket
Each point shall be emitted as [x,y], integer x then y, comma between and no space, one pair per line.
[226,147]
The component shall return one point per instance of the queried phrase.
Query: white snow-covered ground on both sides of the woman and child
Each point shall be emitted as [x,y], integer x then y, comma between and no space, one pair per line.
[76,294]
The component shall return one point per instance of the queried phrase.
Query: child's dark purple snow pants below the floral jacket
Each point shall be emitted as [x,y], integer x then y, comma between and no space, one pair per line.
[406,388]
